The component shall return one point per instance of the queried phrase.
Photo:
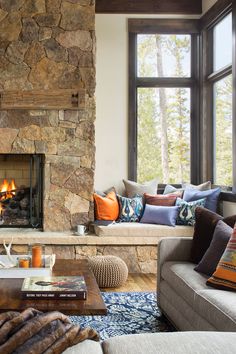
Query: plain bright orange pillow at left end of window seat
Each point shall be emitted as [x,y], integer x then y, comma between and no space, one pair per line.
[106,208]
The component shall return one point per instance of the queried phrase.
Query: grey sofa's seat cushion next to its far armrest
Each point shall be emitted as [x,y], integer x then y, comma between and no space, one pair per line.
[182,277]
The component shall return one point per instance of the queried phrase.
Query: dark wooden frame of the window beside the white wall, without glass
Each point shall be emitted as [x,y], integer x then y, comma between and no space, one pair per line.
[157,26]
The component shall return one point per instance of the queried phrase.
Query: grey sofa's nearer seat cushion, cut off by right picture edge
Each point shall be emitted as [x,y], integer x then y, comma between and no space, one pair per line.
[217,307]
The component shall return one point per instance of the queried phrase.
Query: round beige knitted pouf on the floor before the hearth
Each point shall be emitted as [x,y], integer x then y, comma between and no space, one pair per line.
[109,271]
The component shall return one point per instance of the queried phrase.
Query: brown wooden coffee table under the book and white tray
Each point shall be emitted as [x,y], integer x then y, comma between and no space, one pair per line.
[10,293]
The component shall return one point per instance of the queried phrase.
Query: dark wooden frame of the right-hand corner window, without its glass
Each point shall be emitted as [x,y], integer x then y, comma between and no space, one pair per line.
[221,9]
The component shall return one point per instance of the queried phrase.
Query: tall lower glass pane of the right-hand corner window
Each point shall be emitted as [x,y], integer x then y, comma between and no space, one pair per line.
[223,131]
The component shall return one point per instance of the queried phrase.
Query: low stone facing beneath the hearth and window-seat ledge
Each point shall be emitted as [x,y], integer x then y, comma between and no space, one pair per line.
[139,259]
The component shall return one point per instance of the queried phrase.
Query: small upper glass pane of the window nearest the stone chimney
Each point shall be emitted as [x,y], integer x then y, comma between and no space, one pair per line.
[164,55]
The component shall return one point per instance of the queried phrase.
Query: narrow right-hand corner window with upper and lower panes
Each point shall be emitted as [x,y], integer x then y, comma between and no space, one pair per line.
[220,82]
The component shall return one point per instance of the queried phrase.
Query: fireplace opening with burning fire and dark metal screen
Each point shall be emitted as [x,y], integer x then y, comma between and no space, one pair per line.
[21,190]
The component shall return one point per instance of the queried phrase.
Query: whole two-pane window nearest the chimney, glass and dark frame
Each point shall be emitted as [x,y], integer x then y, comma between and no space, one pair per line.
[163,129]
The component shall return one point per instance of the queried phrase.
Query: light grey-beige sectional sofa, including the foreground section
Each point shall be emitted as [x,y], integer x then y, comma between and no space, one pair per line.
[206,316]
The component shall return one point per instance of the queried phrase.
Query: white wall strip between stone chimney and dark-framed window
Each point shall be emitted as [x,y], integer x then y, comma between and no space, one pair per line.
[112,99]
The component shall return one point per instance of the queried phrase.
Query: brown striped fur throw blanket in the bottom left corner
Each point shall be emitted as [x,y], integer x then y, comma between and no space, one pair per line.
[32,331]
